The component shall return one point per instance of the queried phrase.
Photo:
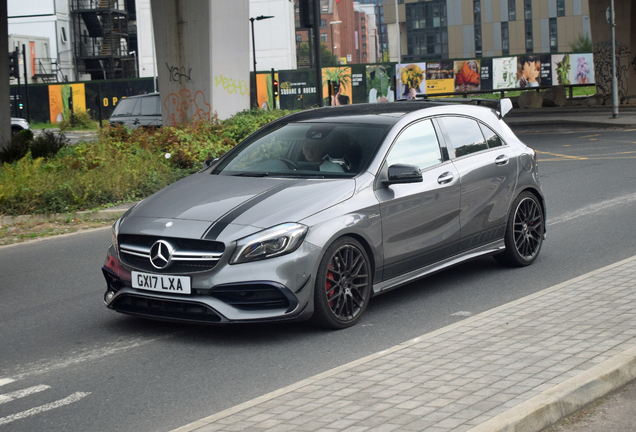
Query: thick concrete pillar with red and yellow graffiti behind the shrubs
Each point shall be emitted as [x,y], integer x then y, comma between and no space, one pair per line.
[202,49]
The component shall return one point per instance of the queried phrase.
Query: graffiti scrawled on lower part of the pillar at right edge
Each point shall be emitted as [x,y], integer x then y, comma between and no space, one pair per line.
[603,67]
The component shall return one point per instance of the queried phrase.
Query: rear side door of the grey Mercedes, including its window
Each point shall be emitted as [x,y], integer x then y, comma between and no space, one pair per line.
[488,174]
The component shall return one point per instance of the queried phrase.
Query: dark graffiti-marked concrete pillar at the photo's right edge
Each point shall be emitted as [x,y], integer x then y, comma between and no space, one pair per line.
[625,47]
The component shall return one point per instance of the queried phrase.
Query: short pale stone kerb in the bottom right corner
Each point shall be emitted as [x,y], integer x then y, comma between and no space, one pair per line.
[566,398]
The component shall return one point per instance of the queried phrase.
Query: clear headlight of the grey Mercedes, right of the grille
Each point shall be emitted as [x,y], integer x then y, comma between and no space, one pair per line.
[275,241]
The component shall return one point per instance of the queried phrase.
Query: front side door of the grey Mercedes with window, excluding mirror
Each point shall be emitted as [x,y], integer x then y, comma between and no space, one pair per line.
[420,221]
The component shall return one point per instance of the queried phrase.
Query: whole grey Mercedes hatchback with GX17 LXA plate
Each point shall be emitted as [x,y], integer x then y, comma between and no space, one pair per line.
[317,212]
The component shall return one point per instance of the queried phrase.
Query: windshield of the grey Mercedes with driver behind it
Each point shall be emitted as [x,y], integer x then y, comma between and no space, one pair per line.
[306,150]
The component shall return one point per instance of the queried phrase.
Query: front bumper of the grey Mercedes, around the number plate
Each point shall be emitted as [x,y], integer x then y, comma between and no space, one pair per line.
[276,289]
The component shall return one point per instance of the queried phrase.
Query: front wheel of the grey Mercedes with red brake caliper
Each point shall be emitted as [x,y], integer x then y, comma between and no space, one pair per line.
[343,285]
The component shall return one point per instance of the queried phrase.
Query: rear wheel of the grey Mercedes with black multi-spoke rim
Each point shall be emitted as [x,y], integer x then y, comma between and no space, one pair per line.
[524,232]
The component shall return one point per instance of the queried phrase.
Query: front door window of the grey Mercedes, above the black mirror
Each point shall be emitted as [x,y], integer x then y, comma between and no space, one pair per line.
[417,145]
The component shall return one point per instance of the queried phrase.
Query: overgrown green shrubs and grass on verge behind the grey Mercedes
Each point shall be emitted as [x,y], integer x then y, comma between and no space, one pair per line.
[121,165]
